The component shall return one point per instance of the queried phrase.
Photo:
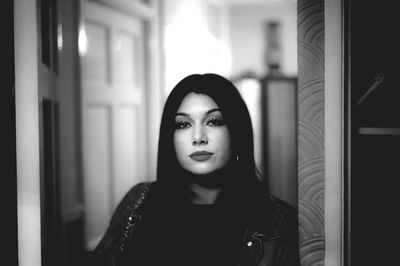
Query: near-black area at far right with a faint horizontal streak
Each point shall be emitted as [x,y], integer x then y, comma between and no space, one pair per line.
[374,146]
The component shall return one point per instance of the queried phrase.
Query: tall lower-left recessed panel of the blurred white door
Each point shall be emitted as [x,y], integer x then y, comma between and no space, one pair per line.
[97,169]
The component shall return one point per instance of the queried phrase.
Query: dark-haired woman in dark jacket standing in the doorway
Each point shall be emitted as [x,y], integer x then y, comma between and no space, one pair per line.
[207,206]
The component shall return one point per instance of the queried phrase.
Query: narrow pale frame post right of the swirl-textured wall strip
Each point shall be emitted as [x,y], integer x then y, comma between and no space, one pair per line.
[335,134]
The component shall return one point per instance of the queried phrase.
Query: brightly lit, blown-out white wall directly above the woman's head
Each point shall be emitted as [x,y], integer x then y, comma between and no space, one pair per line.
[195,39]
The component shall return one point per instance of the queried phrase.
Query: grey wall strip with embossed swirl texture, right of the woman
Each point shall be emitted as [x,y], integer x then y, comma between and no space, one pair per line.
[311,131]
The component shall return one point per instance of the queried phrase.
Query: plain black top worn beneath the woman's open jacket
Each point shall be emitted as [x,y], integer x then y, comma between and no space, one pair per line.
[195,235]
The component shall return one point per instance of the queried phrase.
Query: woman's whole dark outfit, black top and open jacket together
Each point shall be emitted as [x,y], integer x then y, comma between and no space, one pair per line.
[144,235]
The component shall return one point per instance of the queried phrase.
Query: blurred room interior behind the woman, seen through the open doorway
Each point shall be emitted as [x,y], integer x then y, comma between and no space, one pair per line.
[106,68]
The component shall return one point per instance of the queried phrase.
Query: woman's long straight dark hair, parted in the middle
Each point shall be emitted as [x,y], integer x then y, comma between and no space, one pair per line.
[237,119]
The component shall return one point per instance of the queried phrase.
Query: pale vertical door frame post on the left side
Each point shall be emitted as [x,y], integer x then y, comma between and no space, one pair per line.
[27,132]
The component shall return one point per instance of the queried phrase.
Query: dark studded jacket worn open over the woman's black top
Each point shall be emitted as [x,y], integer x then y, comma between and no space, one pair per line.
[273,243]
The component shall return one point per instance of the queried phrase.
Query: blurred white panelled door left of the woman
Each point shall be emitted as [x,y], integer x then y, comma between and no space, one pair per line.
[113,112]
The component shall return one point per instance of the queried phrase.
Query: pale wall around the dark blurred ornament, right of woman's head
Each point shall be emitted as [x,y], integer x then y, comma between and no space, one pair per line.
[248,40]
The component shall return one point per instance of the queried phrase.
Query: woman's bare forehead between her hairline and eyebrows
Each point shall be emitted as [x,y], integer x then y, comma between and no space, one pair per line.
[196,102]
